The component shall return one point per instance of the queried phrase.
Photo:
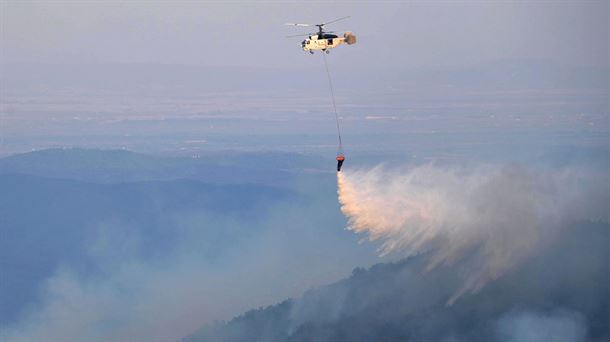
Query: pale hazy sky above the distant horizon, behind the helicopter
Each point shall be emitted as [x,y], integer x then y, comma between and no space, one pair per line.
[396,34]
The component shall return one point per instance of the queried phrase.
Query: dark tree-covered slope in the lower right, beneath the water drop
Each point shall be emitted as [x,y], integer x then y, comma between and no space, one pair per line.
[403,302]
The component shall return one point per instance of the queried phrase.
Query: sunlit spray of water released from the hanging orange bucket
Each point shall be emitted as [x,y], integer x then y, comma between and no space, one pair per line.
[485,223]
